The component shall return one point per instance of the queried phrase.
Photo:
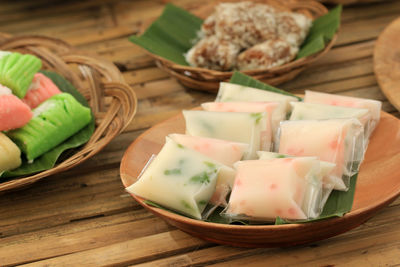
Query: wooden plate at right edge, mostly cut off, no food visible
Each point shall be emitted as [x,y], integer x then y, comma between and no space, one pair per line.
[387,62]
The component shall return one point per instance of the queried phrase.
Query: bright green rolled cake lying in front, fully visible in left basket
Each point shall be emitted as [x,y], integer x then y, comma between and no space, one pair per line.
[56,119]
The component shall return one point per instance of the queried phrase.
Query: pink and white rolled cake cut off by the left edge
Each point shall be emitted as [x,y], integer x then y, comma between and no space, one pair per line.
[13,112]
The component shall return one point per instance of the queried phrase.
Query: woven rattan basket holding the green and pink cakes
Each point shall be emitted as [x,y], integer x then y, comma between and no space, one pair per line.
[112,101]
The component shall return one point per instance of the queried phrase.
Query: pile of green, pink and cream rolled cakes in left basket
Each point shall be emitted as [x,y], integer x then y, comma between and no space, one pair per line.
[35,116]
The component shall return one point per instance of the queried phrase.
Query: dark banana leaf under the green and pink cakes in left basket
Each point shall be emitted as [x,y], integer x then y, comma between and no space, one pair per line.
[49,159]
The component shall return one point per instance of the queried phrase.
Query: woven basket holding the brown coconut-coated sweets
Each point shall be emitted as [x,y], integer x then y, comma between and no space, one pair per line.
[208,80]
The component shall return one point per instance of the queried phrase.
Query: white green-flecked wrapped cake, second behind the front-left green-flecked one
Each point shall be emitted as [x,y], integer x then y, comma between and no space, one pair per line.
[243,127]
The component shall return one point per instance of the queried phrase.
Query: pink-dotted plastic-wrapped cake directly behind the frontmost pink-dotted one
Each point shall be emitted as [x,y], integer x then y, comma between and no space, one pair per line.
[339,141]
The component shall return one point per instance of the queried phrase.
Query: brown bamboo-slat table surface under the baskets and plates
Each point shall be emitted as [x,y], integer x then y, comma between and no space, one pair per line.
[84,217]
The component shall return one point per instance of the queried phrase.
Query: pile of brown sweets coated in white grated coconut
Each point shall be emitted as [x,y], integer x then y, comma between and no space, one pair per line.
[264,36]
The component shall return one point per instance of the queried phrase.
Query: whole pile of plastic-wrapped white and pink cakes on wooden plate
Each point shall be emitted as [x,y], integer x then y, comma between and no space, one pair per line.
[242,153]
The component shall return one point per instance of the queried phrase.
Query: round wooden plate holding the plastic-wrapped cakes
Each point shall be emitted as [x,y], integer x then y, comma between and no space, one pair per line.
[378,184]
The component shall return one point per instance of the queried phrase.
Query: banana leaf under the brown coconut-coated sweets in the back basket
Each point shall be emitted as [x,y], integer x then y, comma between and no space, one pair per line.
[175,32]
